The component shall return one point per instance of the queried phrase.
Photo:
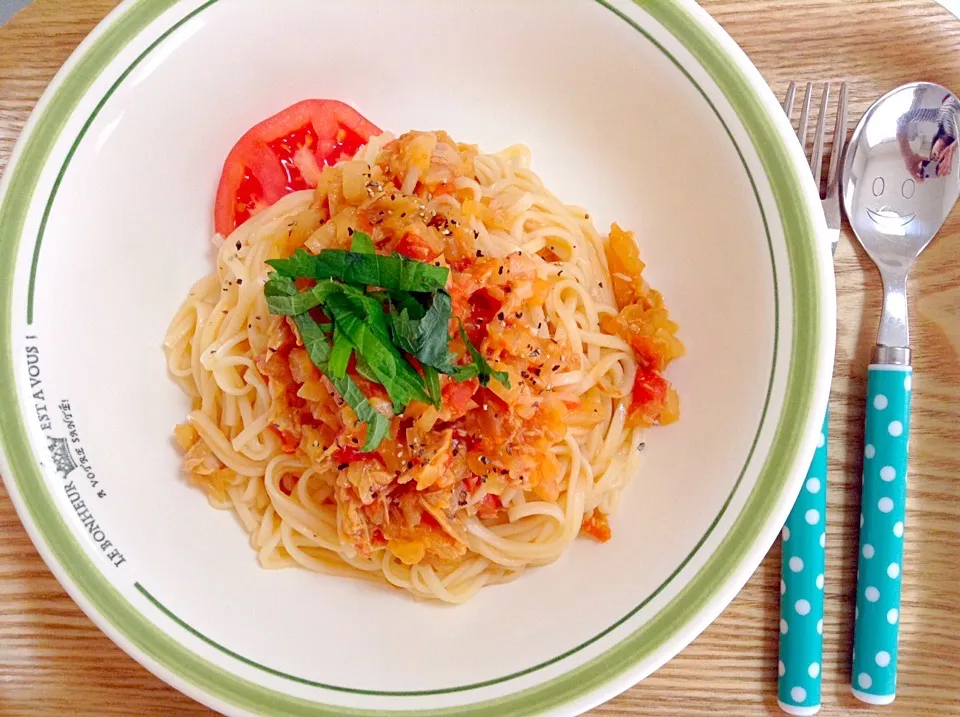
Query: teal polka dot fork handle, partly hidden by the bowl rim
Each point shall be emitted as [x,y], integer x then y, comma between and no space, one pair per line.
[801,591]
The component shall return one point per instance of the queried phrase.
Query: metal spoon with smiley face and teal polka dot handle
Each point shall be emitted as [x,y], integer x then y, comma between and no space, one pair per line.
[900,182]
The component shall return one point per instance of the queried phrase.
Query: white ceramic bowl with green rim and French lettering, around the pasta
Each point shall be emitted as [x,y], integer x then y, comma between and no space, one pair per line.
[649,115]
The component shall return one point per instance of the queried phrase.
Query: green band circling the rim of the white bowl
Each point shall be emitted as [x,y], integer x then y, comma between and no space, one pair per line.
[115,613]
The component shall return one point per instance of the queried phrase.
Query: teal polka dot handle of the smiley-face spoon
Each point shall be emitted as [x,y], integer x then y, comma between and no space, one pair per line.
[882,510]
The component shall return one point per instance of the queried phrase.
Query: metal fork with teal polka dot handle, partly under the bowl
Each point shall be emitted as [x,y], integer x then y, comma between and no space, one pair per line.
[804,537]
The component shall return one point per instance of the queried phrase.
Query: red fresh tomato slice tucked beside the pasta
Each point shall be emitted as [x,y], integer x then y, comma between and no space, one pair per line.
[286,153]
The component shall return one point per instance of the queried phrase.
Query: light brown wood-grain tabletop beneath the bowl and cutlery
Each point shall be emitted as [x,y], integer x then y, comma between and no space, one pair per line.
[53,661]
